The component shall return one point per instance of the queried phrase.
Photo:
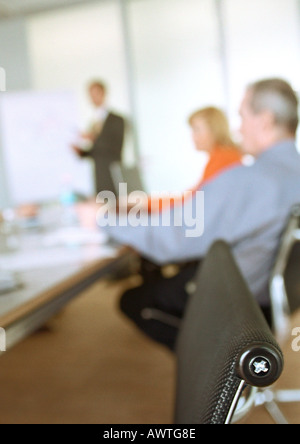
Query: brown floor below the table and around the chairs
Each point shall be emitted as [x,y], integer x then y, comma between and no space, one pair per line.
[92,367]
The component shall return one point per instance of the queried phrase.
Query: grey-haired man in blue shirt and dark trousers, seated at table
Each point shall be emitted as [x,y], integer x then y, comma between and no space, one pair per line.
[247,206]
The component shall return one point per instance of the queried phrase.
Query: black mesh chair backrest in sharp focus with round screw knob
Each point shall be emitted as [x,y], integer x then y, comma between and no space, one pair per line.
[224,343]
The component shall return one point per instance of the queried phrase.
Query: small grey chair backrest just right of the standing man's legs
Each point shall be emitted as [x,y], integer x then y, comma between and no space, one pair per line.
[129,175]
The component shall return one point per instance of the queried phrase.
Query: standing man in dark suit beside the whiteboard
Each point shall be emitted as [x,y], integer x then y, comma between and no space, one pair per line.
[104,139]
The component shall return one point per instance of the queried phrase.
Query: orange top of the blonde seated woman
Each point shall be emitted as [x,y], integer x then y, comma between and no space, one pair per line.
[221,159]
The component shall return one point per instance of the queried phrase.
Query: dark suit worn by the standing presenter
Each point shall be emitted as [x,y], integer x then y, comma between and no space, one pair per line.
[107,149]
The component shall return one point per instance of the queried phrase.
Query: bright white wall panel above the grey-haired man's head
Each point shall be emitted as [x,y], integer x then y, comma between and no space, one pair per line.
[263,40]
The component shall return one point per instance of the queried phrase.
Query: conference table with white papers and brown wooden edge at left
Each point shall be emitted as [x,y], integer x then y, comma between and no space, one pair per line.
[52,267]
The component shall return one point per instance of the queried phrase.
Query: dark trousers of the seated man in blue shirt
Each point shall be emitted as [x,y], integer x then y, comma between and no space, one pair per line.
[168,296]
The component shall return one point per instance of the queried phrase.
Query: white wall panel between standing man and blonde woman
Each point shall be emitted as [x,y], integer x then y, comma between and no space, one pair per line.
[177,69]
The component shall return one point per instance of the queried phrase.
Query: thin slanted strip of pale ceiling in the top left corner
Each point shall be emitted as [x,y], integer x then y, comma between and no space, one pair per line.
[15,8]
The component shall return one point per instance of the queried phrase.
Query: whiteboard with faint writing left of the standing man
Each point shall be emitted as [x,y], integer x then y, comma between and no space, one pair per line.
[37,129]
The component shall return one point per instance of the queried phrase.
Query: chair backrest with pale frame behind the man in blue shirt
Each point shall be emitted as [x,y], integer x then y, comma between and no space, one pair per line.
[285,278]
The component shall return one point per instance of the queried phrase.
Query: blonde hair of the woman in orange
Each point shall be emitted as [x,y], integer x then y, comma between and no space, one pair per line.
[217,123]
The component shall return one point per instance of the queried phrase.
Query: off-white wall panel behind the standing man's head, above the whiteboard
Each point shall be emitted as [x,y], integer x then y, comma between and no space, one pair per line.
[70,47]
